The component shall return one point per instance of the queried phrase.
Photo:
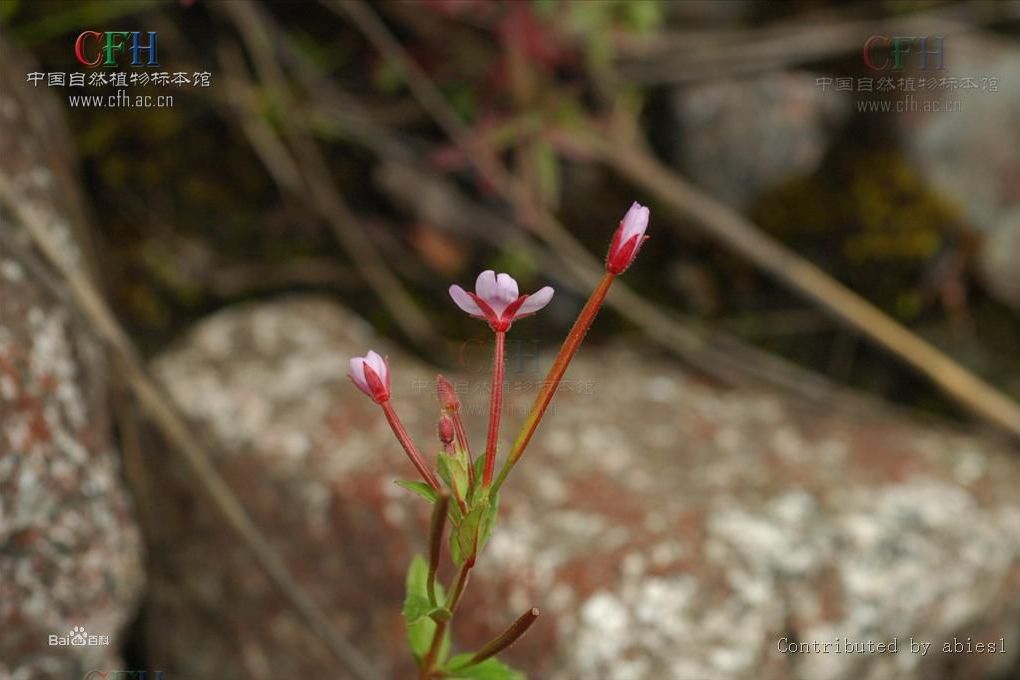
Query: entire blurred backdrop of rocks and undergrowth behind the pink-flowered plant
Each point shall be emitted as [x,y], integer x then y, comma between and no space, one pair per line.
[670,525]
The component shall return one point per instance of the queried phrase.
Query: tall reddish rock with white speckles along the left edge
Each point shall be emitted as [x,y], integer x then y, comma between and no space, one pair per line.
[71,552]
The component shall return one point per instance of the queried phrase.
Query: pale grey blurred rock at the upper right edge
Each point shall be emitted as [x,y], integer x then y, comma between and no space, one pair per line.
[971,155]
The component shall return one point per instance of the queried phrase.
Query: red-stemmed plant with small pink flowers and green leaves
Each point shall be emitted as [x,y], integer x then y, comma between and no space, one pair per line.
[466,492]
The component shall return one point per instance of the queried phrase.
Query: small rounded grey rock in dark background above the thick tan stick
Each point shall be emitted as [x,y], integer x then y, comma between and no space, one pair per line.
[739,138]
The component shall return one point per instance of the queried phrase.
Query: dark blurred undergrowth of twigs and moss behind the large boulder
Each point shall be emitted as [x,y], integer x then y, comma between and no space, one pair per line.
[311,165]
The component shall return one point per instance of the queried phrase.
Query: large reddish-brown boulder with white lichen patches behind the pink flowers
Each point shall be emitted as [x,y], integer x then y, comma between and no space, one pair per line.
[668,529]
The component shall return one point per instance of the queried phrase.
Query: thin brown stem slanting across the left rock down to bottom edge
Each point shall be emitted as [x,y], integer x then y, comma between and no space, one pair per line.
[161,409]
